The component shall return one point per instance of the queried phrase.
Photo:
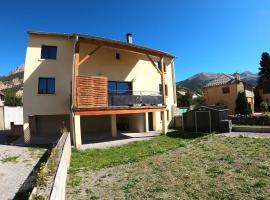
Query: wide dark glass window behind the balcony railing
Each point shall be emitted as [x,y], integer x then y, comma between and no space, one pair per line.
[119,87]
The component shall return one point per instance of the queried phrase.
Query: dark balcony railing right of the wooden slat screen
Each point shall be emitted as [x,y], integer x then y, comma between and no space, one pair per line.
[134,98]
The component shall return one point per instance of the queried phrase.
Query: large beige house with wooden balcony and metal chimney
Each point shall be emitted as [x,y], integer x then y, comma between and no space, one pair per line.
[94,86]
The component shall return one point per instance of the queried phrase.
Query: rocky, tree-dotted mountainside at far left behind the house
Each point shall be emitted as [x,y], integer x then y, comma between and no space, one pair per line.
[13,81]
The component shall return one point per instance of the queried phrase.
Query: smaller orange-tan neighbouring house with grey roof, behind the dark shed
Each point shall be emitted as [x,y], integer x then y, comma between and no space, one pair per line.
[224,91]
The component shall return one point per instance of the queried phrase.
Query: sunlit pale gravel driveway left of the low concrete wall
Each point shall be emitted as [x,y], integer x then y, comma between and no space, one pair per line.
[16,164]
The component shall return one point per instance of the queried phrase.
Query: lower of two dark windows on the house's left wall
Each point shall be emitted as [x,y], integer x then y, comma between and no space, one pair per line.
[46,85]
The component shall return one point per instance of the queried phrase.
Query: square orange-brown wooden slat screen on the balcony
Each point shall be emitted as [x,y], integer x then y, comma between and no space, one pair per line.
[92,91]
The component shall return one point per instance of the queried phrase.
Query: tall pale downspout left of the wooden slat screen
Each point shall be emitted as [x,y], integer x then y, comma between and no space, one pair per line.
[72,92]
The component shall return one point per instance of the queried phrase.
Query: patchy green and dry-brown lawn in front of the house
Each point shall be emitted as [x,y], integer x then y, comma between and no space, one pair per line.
[174,167]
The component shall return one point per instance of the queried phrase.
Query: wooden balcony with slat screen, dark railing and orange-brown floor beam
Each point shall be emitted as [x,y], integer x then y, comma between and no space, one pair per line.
[92,98]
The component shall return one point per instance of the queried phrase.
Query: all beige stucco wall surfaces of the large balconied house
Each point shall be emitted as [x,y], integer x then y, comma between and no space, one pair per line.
[131,67]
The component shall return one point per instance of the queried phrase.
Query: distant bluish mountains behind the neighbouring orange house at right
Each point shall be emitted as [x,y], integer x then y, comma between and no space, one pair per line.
[198,81]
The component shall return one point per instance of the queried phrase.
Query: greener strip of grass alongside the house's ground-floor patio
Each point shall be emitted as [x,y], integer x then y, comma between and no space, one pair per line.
[133,152]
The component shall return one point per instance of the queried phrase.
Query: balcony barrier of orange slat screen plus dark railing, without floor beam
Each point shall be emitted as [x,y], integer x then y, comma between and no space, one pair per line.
[92,92]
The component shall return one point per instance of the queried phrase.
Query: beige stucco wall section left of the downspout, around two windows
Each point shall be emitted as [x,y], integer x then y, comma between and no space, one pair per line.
[61,69]
